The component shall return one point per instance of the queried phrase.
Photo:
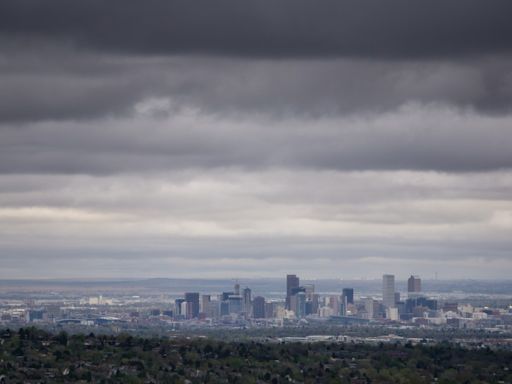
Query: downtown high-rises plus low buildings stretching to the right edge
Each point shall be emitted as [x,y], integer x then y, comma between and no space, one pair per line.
[302,303]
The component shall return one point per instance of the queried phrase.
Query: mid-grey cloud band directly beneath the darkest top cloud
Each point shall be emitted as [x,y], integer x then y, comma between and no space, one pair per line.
[59,84]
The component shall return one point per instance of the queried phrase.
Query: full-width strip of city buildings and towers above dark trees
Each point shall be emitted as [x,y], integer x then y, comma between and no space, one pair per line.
[300,304]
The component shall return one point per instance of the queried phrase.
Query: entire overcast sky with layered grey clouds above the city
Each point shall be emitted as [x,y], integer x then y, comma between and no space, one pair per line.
[331,139]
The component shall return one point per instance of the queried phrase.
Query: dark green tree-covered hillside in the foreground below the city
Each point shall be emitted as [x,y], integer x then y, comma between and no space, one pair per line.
[35,356]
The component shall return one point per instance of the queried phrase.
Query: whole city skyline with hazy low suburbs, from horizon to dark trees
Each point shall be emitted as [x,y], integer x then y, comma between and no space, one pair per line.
[296,304]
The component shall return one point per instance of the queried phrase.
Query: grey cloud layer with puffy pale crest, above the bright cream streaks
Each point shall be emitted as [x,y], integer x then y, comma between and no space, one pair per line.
[413,137]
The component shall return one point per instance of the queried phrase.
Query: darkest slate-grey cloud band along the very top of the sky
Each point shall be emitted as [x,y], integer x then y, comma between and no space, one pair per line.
[268,28]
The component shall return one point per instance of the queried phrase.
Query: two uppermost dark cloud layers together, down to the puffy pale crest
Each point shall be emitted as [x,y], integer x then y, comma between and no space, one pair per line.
[78,60]
